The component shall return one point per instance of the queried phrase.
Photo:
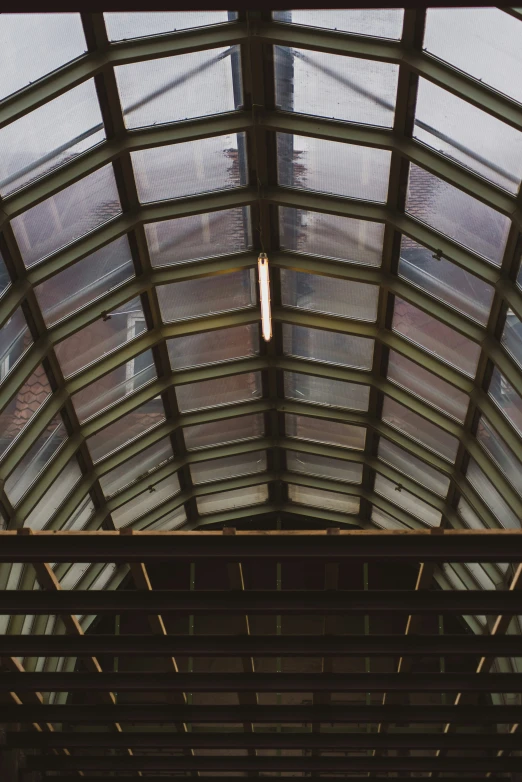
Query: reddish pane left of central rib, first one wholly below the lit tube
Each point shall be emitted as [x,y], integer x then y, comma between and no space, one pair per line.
[219,391]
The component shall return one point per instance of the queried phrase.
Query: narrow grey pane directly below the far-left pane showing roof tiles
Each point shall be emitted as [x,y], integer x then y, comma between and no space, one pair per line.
[34,460]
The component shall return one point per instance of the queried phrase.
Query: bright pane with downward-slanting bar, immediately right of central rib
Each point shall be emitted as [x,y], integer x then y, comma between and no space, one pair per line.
[334,86]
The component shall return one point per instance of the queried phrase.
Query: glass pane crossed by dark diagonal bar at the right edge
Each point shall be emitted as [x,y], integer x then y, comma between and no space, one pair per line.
[468,135]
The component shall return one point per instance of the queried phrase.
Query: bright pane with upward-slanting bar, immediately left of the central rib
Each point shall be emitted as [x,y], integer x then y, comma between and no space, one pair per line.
[170,89]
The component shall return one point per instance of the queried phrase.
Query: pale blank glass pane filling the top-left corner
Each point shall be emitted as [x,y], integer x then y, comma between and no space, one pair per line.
[33,45]
